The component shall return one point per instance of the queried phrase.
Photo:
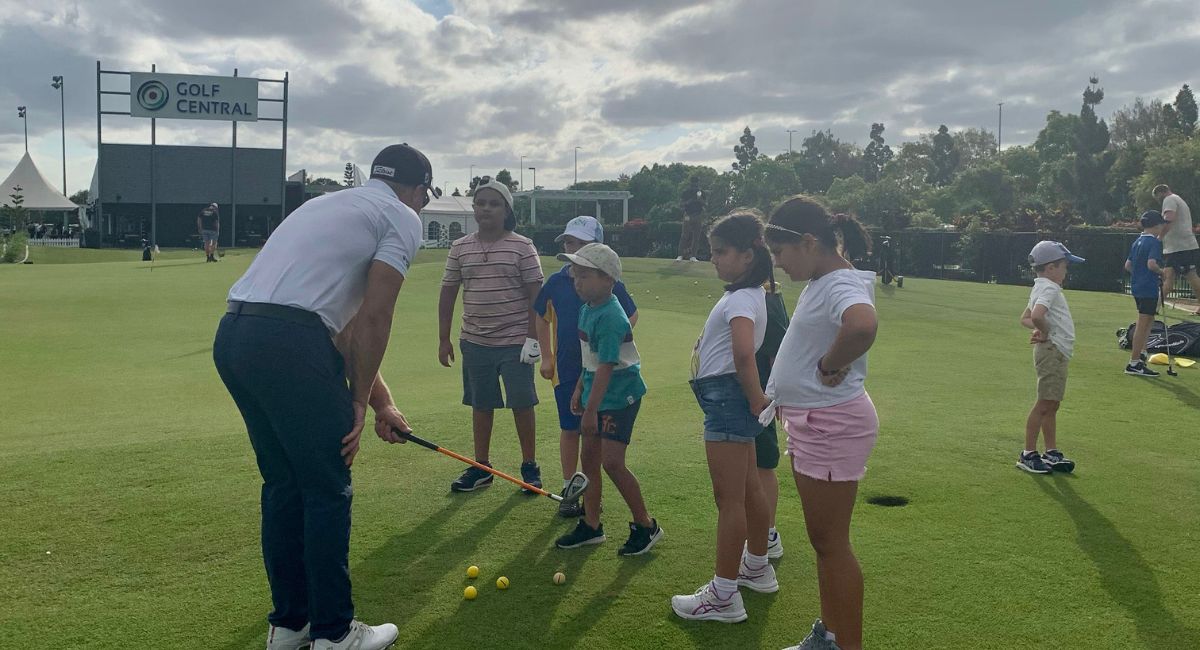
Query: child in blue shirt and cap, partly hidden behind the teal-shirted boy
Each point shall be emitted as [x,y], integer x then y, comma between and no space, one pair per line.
[559,305]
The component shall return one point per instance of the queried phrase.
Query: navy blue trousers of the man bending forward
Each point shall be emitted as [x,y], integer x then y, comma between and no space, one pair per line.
[290,384]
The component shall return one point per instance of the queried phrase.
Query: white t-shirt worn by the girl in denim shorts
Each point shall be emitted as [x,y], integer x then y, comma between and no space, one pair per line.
[713,354]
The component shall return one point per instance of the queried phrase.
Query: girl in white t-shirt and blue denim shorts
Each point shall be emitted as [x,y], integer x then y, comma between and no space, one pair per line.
[728,389]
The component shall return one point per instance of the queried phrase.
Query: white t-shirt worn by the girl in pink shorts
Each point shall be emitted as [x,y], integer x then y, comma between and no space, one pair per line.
[812,333]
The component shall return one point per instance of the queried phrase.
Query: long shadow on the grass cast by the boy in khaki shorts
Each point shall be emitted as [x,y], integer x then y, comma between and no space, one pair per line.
[1127,577]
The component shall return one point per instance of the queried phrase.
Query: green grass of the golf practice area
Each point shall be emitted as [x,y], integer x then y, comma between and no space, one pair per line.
[131,496]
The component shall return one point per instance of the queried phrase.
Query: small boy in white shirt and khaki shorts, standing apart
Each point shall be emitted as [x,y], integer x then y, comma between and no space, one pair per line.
[1053,339]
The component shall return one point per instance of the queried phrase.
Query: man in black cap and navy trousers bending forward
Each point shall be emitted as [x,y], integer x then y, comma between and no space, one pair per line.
[299,351]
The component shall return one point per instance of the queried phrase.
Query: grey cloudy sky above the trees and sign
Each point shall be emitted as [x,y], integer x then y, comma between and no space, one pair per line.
[631,82]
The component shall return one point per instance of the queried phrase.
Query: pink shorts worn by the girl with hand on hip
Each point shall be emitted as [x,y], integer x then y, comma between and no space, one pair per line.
[832,443]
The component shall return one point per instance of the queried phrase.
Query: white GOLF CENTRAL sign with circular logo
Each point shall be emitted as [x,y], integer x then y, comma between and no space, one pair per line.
[194,98]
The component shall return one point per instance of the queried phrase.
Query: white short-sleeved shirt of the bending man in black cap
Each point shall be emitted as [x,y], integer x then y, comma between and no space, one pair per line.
[319,258]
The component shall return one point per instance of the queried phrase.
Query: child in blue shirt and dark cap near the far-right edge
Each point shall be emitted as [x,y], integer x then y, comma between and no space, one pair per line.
[1145,264]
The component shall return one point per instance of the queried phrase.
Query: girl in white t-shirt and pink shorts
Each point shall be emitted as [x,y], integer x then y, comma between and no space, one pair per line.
[818,384]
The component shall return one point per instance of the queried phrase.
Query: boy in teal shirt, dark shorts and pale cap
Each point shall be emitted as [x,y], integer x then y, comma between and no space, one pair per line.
[608,399]
